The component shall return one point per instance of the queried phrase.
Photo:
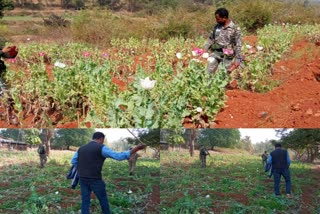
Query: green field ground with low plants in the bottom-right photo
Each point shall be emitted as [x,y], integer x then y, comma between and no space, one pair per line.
[231,183]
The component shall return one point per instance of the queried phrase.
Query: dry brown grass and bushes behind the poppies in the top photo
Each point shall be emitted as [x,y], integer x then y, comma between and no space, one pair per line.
[97,22]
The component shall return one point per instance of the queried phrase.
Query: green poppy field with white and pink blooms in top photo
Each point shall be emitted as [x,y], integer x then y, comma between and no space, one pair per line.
[134,83]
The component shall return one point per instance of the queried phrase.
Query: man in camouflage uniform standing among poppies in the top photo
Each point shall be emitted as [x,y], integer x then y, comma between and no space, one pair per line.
[224,43]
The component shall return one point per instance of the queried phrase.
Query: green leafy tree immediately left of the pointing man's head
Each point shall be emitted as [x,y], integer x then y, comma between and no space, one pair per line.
[64,138]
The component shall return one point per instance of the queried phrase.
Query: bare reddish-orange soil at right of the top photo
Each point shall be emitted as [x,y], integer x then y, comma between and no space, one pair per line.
[295,103]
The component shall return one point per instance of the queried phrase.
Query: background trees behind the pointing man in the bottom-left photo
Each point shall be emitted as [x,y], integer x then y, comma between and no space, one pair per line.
[67,138]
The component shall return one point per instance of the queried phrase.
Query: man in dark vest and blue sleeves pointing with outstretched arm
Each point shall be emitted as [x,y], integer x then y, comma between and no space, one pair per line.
[89,160]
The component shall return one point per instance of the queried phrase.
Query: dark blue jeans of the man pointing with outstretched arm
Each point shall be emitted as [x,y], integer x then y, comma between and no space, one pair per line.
[97,186]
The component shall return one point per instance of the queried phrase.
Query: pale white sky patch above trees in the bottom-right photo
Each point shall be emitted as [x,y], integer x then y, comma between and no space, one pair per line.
[259,135]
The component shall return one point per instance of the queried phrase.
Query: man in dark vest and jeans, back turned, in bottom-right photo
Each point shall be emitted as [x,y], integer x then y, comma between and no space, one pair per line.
[280,161]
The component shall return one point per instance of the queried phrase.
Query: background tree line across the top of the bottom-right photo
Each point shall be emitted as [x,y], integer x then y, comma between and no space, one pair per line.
[304,143]
